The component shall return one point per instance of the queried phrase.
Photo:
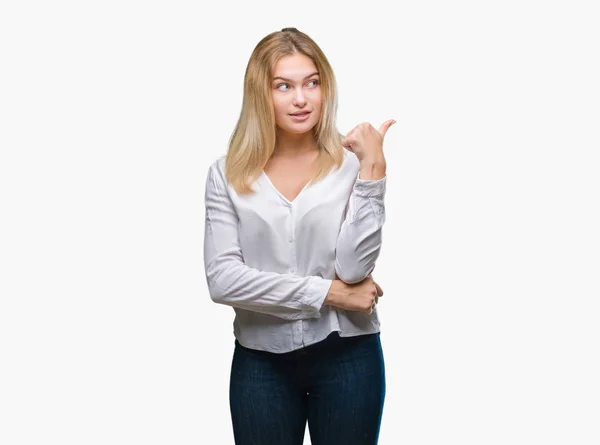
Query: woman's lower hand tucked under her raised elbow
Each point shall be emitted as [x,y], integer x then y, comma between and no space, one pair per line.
[360,297]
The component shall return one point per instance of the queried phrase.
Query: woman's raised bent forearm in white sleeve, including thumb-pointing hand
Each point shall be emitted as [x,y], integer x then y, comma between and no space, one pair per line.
[360,238]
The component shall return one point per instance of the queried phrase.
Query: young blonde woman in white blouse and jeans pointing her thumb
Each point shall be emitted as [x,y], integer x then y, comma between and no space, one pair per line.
[294,216]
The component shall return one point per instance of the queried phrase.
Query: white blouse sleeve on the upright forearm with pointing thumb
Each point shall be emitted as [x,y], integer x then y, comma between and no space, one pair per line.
[359,241]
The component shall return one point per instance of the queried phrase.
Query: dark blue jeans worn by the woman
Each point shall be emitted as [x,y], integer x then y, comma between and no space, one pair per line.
[337,385]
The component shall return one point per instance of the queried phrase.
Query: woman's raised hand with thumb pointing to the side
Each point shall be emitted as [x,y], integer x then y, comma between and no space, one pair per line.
[366,142]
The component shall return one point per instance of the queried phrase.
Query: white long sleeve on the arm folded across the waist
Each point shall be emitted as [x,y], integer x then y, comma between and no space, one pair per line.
[231,282]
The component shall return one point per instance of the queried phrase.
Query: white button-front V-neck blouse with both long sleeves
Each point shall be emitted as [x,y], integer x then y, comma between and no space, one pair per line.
[273,260]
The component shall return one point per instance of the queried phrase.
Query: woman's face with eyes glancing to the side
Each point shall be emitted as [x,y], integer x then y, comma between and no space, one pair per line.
[296,88]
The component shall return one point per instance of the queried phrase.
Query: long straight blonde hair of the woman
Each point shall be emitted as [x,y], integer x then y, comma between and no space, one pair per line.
[253,140]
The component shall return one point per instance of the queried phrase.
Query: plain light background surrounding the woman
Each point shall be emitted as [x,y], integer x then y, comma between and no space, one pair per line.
[110,115]
